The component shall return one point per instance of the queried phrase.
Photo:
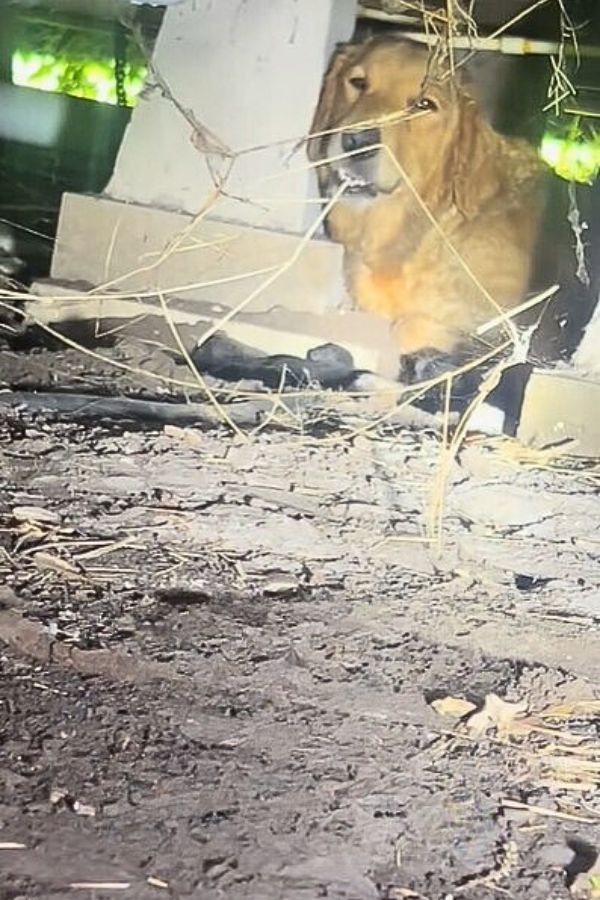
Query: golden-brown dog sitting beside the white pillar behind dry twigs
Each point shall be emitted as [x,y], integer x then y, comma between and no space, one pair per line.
[390,131]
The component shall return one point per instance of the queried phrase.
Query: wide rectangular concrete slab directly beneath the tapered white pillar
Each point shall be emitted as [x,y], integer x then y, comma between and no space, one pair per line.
[104,241]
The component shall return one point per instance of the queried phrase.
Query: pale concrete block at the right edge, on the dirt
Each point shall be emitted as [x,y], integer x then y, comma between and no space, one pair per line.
[560,406]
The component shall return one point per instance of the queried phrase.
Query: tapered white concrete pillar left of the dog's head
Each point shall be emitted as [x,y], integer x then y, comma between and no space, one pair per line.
[251,71]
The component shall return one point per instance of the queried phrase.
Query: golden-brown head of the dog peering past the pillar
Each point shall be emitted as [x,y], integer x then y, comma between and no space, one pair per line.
[383,113]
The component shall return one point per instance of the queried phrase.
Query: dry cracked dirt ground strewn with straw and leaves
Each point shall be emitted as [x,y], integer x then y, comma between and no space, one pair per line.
[222,664]
